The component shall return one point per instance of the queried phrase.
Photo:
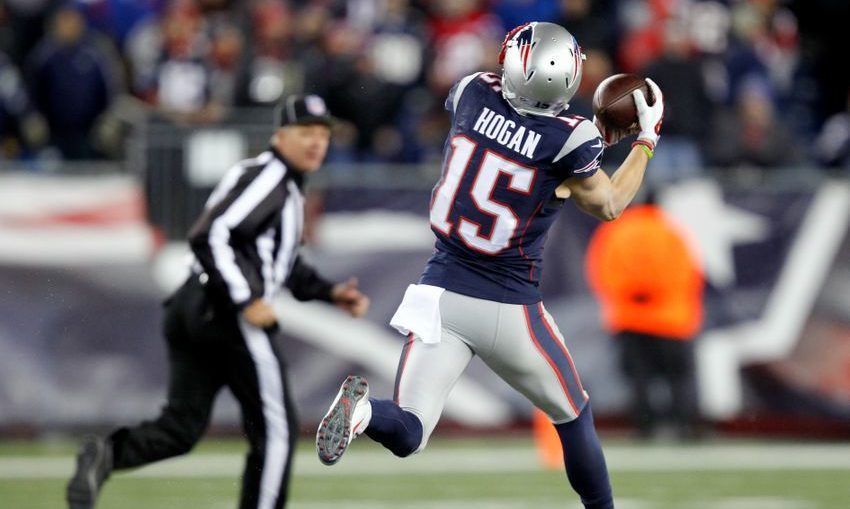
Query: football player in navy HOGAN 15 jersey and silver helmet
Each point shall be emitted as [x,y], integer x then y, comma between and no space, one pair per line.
[513,155]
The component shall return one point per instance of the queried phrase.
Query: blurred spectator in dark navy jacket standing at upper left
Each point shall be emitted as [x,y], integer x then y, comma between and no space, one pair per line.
[74,76]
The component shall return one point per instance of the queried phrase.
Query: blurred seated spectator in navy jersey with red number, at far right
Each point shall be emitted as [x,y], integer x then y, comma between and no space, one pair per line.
[751,135]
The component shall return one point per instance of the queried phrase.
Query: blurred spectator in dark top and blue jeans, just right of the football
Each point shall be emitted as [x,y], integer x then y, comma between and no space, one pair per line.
[679,73]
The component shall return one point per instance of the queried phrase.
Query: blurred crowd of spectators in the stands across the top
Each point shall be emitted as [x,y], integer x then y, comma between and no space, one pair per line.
[748,83]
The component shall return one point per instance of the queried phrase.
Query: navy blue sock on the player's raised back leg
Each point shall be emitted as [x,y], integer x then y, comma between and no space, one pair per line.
[398,430]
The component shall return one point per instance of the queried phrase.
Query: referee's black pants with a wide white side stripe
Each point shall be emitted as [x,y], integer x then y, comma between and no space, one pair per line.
[209,350]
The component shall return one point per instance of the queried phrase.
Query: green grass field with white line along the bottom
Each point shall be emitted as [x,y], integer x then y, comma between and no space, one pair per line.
[492,473]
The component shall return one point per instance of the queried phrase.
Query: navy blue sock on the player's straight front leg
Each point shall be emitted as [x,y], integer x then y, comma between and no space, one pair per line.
[585,462]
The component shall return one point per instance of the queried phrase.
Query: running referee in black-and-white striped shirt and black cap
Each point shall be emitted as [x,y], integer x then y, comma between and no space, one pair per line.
[219,326]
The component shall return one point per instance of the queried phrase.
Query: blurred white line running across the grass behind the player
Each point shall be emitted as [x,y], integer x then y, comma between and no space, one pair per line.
[770,457]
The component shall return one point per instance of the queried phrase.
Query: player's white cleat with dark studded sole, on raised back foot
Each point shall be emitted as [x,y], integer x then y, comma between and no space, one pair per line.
[347,418]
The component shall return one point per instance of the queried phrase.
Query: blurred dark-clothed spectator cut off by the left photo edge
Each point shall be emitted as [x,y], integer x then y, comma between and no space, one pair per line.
[21,126]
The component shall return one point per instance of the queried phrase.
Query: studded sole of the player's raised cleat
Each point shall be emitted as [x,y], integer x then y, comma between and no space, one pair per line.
[334,432]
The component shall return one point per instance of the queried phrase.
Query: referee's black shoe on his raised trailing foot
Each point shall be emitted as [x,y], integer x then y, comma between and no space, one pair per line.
[94,464]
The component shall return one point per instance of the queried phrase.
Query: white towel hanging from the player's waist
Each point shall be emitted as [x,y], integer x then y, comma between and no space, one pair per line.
[419,313]
